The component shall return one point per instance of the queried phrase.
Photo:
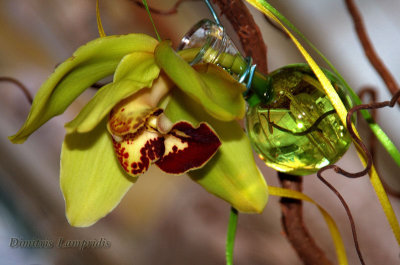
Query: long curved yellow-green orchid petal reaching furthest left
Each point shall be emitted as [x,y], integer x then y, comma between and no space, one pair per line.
[90,63]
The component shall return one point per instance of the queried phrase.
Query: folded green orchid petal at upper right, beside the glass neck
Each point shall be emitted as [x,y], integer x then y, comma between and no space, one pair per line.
[213,88]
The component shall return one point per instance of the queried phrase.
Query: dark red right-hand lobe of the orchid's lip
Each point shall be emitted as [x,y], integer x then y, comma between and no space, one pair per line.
[188,148]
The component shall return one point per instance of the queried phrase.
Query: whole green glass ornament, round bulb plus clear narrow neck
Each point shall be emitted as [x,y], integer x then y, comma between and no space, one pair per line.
[290,121]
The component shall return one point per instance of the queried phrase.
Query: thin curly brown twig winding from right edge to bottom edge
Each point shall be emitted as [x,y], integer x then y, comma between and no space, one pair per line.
[361,173]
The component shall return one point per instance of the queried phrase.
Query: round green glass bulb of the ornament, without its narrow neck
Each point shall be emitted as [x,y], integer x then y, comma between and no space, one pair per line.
[298,130]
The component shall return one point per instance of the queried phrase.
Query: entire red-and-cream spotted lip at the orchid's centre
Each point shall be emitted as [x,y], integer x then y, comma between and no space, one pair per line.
[139,142]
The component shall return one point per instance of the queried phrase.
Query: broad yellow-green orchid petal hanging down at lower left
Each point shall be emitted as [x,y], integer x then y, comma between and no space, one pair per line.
[91,179]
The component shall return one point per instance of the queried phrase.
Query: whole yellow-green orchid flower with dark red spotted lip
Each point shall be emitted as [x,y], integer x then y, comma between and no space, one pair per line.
[158,109]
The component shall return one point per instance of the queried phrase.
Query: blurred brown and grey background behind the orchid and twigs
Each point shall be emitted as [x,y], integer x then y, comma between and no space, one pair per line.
[169,219]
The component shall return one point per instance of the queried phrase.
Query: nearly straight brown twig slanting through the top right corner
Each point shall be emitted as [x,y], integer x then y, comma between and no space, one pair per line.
[369,50]
